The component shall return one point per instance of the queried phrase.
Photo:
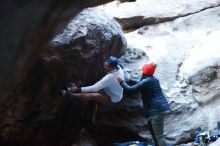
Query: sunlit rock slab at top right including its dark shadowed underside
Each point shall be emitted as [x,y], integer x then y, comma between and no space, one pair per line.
[141,13]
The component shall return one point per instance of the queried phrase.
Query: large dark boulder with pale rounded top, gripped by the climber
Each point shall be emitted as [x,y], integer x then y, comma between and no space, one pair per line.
[34,113]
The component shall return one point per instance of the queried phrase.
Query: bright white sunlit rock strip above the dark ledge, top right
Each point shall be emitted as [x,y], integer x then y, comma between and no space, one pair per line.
[156,8]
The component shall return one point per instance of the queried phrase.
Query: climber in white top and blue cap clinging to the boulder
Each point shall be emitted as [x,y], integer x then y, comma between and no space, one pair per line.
[107,90]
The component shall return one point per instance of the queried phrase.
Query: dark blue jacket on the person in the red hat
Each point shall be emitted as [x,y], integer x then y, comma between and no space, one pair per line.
[154,101]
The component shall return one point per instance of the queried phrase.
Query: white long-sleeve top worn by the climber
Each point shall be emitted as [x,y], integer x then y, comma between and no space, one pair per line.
[109,84]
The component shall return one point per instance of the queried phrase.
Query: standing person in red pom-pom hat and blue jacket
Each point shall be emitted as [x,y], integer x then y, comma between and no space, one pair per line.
[154,102]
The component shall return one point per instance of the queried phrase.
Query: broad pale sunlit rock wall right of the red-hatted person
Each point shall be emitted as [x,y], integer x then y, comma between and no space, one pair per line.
[189,72]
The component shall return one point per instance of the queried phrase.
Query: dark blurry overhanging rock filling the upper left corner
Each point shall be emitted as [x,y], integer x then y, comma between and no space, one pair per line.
[27,27]
